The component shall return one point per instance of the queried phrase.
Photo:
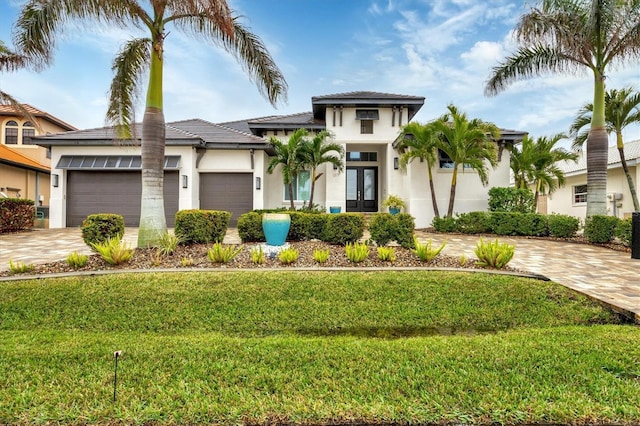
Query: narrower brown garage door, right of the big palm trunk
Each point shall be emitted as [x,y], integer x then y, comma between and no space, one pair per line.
[232,192]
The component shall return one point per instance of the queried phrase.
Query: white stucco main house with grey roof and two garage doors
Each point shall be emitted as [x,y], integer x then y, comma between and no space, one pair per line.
[223,166]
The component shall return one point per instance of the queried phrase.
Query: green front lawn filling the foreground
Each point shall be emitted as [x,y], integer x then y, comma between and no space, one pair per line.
[312,347]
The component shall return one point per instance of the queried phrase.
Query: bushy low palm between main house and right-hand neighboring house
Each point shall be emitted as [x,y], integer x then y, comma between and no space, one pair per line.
[537,164]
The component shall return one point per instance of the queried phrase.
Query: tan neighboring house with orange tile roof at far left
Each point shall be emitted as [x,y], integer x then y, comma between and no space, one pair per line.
[24,166]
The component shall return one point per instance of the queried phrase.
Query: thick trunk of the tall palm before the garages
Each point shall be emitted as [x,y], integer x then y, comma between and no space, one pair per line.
[152,218]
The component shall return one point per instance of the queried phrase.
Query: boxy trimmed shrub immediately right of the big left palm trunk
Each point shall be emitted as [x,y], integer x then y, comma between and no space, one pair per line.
[201,226]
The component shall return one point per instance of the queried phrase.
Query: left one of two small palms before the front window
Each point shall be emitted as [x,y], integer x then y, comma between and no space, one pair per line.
[290,156]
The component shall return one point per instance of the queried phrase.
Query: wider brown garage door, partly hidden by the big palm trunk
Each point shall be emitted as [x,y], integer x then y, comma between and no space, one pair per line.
[90,192]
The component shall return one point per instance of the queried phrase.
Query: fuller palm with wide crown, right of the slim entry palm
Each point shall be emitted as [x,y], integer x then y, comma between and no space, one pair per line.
[468,143]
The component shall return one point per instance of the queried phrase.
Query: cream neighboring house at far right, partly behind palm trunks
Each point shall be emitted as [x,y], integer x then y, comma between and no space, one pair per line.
[571,199]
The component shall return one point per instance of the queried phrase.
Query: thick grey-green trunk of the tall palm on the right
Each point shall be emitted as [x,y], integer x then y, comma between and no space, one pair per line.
[597,150]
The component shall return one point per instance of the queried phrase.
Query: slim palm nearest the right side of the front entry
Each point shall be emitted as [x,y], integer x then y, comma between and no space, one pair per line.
[420,141]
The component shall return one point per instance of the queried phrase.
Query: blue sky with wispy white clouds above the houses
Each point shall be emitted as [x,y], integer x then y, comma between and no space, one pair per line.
[443,50]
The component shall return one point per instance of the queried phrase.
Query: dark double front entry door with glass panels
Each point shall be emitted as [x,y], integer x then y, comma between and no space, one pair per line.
[362,189]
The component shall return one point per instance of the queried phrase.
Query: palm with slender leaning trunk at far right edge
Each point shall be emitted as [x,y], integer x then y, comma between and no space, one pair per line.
[621,108]
